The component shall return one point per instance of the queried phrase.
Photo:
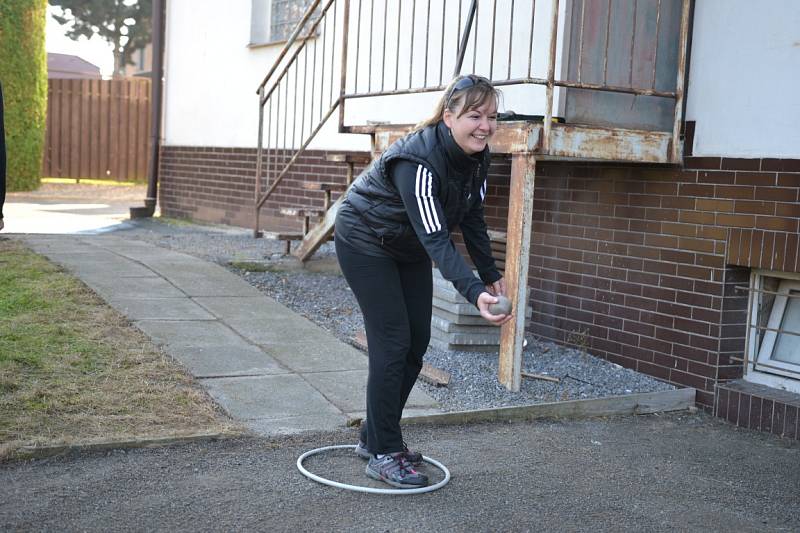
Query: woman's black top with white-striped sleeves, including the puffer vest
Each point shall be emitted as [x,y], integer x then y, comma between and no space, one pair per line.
[406,203]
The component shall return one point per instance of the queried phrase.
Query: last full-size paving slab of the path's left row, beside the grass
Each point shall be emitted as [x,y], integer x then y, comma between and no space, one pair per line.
[277,397]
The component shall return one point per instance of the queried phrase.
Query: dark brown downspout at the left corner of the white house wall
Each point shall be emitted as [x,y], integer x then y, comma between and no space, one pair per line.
[156,91]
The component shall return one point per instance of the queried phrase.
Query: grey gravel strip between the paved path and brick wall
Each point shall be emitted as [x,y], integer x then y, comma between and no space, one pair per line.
[320,293]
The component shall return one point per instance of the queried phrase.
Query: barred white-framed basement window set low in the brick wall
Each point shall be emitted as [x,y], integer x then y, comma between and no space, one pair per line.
[774,326]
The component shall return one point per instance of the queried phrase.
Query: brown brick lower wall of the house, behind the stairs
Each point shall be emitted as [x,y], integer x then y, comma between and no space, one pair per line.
[641,263]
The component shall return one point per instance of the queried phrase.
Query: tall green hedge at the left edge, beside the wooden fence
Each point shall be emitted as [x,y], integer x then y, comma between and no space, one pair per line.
[23,71]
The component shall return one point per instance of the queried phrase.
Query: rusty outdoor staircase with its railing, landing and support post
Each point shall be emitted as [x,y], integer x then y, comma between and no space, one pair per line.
[600,91]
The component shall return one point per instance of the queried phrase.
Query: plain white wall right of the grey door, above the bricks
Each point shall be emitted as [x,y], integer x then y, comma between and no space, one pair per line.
[744,81]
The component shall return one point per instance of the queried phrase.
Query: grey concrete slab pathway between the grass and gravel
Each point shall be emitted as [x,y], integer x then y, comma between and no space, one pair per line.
[265,364]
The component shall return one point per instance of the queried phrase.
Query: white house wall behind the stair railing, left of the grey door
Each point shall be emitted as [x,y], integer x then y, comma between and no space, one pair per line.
[212,75]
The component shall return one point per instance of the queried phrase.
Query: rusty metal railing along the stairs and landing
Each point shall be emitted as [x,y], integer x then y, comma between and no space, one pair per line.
[401,47]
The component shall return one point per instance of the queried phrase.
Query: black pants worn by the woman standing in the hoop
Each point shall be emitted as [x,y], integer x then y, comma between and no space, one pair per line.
[395,299]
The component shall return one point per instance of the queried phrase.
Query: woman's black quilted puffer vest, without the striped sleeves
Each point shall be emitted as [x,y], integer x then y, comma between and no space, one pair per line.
[374,197]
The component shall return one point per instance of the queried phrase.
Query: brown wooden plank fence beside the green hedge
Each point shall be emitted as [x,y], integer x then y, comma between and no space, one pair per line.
[97,129]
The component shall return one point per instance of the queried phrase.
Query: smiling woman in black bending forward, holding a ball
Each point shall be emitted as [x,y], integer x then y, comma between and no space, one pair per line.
[396,219]
